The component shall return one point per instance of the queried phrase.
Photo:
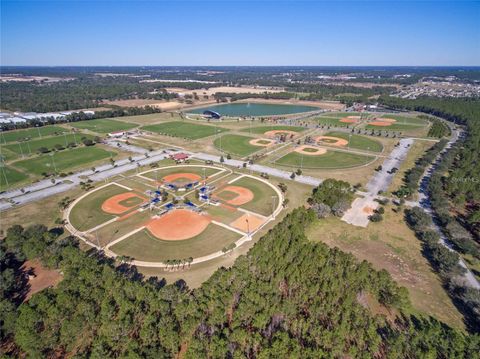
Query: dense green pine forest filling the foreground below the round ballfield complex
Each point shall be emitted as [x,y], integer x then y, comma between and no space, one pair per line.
[288,297]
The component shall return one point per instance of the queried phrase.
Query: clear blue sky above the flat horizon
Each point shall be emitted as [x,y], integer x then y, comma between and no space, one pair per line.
[240,33]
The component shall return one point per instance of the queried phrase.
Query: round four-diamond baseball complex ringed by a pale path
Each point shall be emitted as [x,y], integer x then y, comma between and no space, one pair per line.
[189,213]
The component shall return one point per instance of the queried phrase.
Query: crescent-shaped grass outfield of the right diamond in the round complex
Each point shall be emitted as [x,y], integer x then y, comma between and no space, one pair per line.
[262,202]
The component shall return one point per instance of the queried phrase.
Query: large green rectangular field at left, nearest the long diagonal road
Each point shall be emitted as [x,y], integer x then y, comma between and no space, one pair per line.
[65,160]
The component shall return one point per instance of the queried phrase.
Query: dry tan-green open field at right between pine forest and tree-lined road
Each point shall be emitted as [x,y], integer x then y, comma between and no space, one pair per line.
[391,245]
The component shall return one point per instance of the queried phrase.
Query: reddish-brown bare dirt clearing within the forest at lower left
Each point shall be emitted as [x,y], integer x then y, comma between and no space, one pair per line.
[40,277]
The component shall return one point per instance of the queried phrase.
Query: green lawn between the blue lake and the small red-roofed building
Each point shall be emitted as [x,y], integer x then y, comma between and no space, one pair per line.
[184,129]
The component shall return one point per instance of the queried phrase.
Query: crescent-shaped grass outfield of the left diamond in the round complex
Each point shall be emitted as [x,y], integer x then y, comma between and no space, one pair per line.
[88,212]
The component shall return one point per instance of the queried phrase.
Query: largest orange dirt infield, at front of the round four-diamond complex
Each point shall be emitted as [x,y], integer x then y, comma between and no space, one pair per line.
[178,224]
